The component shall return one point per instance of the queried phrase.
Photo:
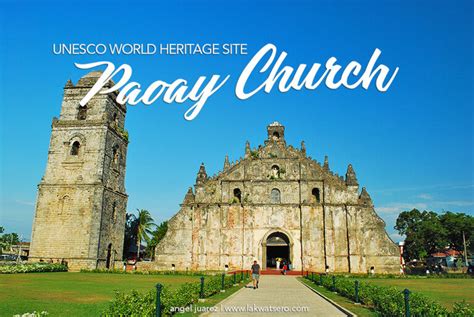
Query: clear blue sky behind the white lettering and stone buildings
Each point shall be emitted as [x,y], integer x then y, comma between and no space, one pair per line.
[411,146]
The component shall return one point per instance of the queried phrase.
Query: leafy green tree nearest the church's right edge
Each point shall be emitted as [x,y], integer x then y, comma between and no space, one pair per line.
[424,233]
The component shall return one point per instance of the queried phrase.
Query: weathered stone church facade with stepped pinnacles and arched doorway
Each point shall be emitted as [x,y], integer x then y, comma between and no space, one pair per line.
[277,202]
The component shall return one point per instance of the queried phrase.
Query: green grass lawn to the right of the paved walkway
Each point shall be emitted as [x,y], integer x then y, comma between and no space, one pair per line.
[446,291]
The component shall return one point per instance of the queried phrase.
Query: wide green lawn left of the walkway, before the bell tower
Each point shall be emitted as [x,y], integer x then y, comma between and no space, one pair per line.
[72,294]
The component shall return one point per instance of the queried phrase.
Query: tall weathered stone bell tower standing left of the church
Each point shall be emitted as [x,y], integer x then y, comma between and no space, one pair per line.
[81,202]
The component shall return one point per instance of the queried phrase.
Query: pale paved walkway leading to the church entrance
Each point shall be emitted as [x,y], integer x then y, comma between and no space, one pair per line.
[275,292]
